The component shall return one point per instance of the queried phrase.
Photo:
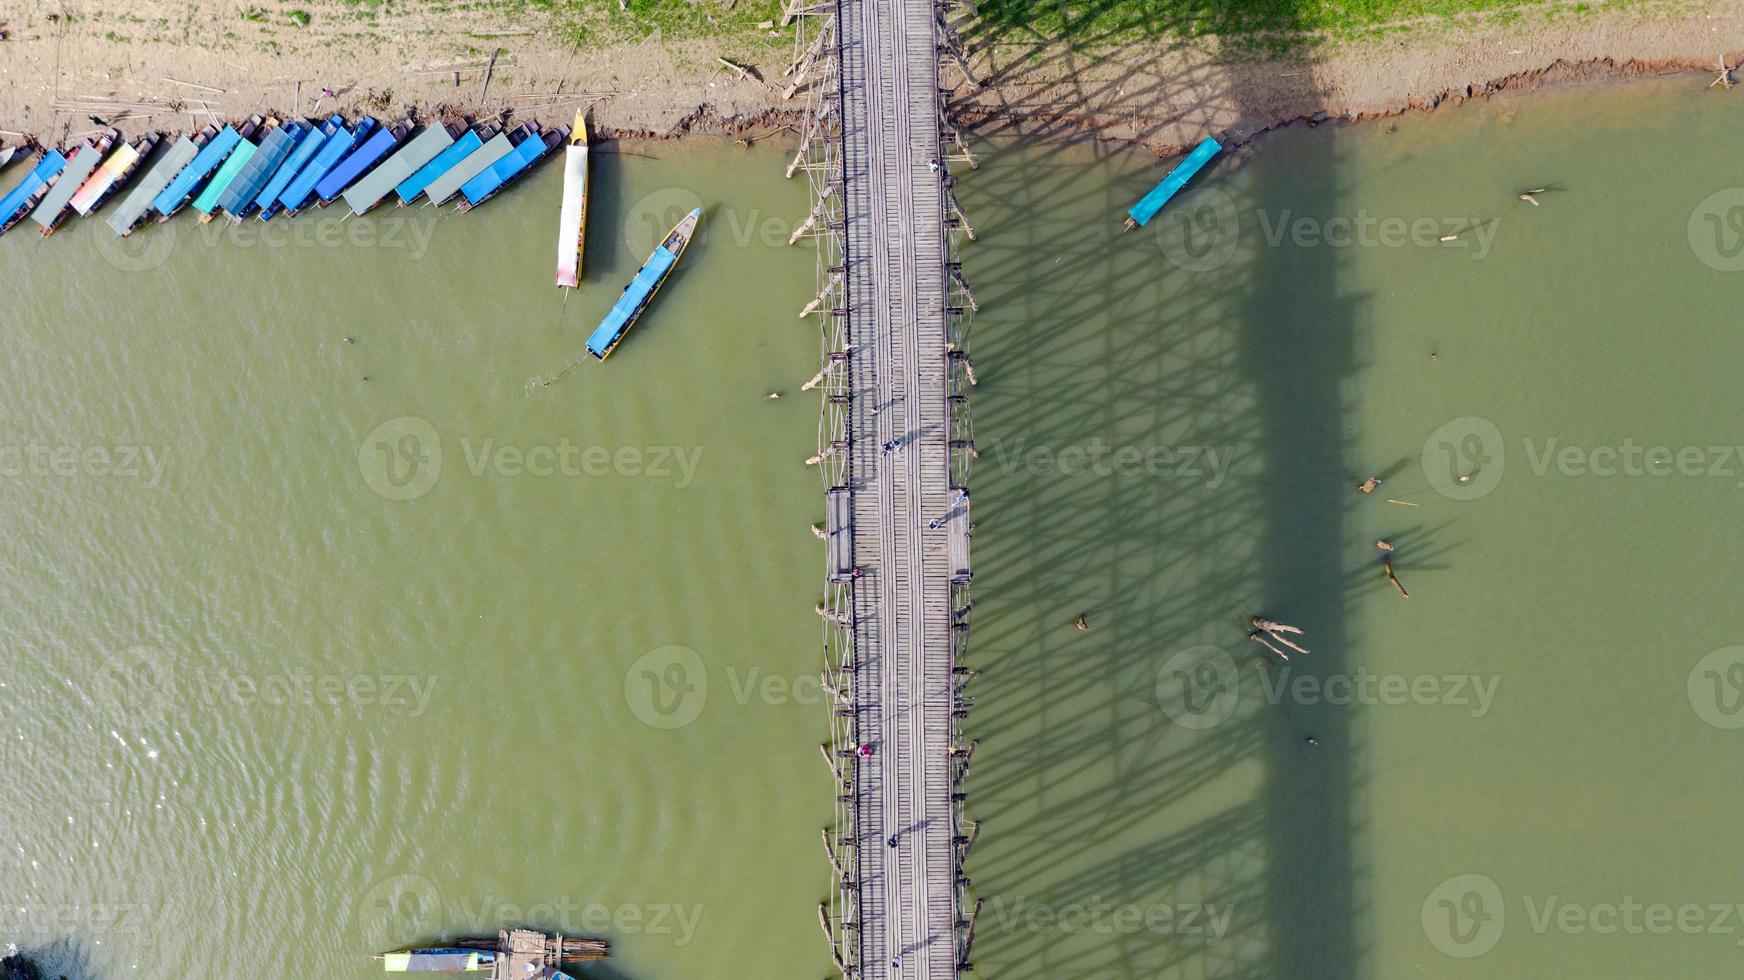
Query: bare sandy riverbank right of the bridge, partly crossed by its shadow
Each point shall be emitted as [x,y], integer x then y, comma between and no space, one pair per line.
[1171,97]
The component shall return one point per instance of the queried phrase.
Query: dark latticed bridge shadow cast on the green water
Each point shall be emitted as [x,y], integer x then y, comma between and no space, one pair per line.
[1162,430]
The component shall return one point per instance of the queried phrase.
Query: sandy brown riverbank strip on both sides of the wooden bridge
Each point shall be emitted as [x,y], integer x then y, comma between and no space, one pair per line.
[167,64]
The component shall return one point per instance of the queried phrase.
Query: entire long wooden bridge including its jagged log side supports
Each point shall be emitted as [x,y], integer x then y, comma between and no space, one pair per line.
[894,447]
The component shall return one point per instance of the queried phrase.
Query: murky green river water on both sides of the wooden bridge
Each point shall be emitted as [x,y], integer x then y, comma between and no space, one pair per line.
[329,629]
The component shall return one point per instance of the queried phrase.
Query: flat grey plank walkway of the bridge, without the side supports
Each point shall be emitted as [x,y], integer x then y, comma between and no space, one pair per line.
[896,282]
